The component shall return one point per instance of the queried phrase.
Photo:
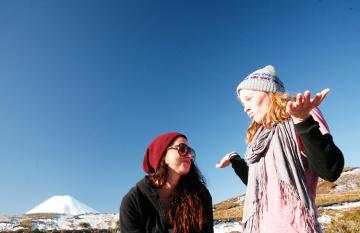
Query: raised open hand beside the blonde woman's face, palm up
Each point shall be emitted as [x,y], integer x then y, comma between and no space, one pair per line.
[299,108]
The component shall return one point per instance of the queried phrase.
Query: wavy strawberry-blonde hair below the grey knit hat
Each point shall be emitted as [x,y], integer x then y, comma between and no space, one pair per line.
[276,114]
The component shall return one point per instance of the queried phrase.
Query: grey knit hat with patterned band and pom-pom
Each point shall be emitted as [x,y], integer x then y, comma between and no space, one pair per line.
[263,79]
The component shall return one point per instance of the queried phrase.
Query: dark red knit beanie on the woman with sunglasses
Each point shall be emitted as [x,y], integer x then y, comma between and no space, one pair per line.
[156,149]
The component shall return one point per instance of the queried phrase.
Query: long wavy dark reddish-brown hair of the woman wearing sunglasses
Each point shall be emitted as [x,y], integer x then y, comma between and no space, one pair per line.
[186,212]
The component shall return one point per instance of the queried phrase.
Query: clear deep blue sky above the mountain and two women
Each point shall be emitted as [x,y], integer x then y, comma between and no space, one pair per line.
[86,85]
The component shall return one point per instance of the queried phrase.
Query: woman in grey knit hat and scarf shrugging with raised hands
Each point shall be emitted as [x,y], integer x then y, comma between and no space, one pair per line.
[288,148]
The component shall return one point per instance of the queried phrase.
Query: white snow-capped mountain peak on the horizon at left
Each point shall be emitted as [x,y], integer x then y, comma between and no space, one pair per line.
[62,205]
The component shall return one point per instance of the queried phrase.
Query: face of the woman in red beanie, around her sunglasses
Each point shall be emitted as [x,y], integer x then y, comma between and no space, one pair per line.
[178,165]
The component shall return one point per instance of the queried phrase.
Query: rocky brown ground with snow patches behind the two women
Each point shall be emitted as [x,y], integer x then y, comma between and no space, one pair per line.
[339,208]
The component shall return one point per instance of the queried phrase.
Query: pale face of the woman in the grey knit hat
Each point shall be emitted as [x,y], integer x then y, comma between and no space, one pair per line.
[255,103]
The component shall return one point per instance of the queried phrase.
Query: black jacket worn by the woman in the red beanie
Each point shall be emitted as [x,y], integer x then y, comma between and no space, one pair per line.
[141,211]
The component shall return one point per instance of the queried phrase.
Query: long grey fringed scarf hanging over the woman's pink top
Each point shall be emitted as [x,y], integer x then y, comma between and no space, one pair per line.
[279,142]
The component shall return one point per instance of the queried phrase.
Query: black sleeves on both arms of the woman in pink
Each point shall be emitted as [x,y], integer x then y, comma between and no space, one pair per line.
[324,157]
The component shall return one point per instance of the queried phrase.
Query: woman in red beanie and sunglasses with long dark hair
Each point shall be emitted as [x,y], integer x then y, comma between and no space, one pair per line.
[172,197]
